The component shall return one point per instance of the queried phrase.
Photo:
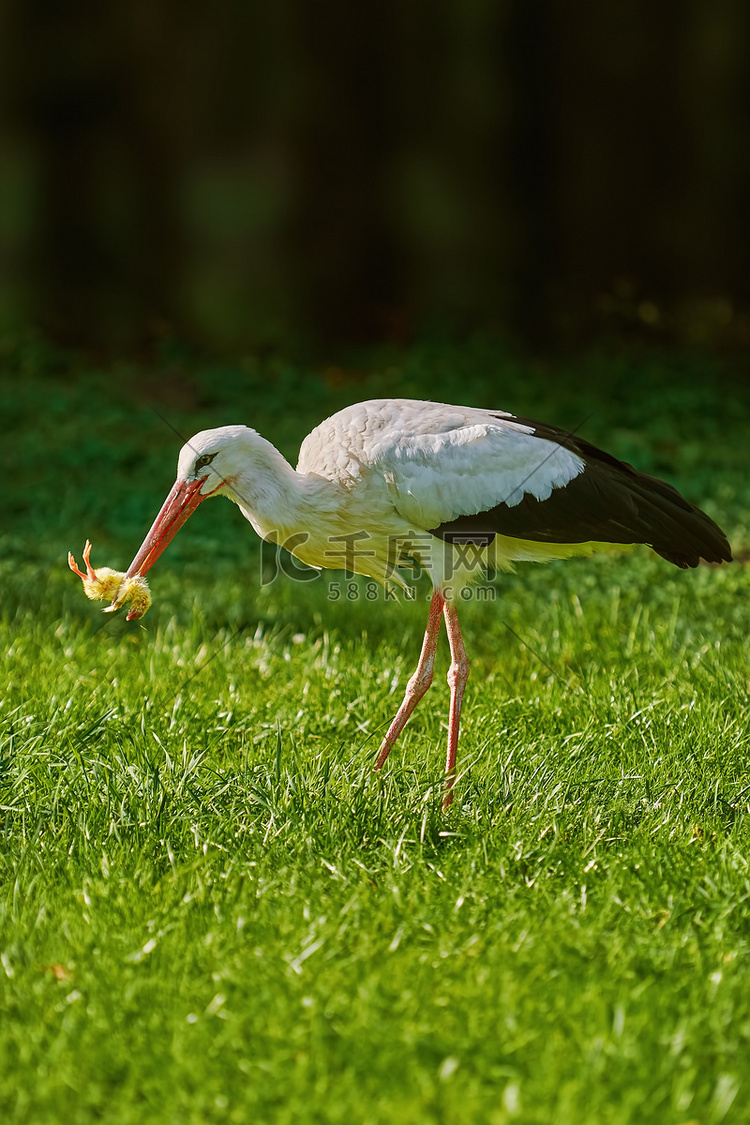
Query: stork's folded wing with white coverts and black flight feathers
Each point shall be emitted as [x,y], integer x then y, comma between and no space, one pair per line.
[532,482]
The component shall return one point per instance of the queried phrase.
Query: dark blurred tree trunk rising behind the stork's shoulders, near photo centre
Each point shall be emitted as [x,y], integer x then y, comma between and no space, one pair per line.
[341,237]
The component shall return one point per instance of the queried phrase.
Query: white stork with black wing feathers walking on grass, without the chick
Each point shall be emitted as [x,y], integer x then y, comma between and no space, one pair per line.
[392,481]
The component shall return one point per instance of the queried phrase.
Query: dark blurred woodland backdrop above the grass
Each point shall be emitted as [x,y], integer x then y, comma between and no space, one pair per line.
[240,175]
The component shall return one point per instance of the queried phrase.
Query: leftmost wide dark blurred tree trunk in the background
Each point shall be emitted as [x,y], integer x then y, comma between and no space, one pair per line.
[107,249]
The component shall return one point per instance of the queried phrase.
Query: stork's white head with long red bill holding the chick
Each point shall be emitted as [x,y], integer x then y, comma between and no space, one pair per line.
[210,465]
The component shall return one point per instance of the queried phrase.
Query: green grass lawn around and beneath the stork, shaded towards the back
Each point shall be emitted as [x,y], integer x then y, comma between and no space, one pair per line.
[212,911]
